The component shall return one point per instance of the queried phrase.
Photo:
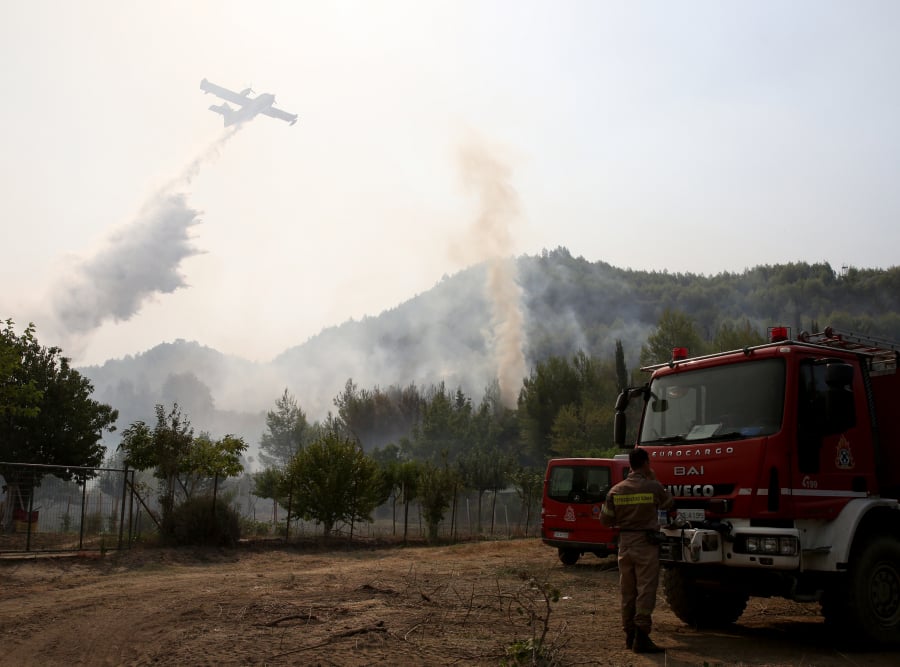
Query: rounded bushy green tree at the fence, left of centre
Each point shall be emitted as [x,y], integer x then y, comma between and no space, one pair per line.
[333,481]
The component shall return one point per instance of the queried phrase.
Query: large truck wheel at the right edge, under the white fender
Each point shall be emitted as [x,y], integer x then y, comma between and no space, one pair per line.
[873,591]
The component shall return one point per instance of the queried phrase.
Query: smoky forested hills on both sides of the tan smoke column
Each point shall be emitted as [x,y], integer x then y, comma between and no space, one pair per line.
[569,306]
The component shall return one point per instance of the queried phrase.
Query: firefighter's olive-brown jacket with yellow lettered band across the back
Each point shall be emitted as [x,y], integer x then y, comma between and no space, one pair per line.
[632,506]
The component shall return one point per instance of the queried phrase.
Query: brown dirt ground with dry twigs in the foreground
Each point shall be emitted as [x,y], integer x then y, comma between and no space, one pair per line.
[365,605]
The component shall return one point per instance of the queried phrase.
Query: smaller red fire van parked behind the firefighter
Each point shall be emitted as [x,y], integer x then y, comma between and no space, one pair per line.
[574,491]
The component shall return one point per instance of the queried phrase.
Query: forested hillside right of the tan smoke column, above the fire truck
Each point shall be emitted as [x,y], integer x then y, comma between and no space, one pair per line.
[575,304]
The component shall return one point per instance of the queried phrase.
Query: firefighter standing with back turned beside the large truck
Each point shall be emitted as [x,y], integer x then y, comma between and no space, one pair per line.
[632,506]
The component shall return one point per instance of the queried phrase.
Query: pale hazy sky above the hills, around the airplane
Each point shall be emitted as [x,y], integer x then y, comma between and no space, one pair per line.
[699,136]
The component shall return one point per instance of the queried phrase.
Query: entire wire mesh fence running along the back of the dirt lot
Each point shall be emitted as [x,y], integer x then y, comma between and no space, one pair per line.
[69,508]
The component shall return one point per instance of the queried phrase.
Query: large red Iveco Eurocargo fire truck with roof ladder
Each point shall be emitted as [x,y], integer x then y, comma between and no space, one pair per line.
[784,460]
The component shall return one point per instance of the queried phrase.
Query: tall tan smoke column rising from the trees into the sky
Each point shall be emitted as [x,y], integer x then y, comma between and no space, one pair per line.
[488,175]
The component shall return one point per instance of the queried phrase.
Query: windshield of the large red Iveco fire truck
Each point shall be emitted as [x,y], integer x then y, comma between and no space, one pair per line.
[728,402]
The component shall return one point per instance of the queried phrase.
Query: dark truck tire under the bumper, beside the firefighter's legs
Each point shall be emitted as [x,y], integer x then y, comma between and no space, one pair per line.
[701,606]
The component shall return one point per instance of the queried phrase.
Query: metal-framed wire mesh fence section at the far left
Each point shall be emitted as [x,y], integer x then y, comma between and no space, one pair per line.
[66,508]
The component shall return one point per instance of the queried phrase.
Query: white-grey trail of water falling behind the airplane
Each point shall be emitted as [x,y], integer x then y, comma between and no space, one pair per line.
[138,261]
